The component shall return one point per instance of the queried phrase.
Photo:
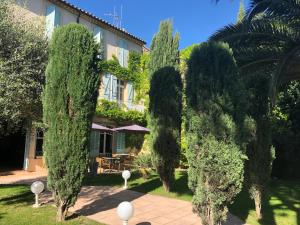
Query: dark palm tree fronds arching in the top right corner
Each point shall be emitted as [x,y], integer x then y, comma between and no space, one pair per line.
[269,36]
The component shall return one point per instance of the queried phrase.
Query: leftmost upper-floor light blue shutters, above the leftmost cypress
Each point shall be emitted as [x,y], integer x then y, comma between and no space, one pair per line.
[53,19]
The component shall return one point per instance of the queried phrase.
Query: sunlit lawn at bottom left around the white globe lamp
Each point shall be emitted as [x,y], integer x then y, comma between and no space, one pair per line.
[16,209]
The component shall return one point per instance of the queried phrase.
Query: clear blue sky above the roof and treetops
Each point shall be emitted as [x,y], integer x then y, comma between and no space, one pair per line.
[195,20]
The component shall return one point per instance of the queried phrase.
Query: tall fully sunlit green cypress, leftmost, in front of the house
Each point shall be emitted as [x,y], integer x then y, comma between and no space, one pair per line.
[69,101]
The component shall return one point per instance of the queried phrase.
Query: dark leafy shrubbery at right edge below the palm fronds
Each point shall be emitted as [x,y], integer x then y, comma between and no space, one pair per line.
[285,127]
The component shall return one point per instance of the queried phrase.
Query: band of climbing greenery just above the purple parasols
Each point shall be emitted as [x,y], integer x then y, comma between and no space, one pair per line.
[112,110]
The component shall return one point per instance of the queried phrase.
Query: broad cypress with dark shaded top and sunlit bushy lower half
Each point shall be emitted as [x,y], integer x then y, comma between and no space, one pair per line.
[215,127]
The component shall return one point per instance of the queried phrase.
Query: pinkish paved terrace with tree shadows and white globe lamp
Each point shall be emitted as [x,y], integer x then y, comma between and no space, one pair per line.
[99,203]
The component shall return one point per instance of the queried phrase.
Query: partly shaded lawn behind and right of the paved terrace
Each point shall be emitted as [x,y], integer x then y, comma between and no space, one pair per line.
[281,208]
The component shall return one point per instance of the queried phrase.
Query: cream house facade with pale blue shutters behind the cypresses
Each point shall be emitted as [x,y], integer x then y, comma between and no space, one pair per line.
[49,14]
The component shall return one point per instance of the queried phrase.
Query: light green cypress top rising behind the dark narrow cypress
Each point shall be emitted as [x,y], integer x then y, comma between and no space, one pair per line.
[164,48]
